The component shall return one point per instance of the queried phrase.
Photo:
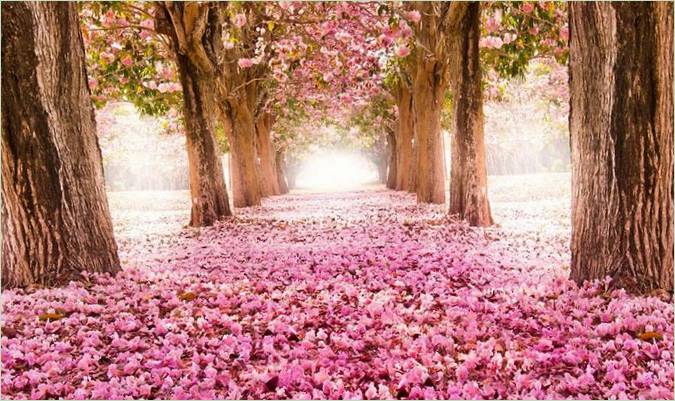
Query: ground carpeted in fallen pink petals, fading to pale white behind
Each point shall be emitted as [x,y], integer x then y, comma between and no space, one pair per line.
[340,295]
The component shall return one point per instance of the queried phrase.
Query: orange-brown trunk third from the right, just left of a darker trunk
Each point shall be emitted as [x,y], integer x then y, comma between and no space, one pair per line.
[428,91]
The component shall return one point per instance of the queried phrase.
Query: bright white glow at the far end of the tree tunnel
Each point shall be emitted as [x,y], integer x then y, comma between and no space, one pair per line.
[335,171]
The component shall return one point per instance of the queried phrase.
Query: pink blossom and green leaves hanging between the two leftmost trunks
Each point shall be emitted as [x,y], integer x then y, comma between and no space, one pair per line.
[126,59]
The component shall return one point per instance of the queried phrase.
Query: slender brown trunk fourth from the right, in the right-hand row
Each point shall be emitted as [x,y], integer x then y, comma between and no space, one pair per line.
[404,146]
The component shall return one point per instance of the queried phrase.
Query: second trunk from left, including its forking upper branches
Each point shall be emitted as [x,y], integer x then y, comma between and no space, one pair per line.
[195,33]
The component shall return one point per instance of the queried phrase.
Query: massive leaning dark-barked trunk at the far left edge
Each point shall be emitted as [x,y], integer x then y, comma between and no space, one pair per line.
[55,217]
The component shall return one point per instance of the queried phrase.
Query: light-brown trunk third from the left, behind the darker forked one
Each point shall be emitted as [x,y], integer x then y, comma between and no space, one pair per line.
[245,185]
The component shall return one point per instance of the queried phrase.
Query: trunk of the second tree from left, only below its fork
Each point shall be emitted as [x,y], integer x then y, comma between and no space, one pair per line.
[207,182]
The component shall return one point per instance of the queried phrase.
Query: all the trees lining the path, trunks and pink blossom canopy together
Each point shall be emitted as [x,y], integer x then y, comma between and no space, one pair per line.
[243,68]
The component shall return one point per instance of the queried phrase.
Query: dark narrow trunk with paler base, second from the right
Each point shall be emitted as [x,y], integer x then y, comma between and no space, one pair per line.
[468,176]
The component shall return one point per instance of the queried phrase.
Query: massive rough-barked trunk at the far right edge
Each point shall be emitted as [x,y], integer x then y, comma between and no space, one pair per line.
[621,125]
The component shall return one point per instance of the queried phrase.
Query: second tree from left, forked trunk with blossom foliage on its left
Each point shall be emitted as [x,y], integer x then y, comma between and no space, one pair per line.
[128,45]
